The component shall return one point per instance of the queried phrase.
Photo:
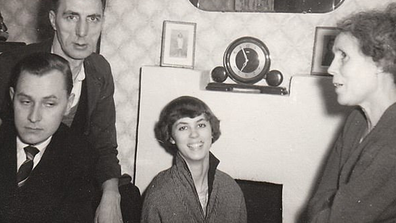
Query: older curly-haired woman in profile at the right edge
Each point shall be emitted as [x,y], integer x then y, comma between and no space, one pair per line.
[359,180]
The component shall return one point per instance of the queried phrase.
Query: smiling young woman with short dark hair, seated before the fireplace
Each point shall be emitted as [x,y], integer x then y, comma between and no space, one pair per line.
[193,189]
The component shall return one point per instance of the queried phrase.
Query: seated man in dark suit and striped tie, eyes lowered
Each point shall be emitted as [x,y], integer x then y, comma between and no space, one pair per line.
[46,171]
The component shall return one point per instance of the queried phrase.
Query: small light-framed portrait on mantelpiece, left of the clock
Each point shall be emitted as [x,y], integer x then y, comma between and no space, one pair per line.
[178,44]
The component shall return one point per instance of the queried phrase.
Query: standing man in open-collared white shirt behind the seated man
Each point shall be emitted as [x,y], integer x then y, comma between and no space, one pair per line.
[77,25]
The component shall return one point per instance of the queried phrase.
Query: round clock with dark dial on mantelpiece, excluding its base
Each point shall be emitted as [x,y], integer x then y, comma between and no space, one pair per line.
[247,60]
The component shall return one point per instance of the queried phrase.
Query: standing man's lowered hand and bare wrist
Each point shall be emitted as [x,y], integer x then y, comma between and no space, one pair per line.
[109,209]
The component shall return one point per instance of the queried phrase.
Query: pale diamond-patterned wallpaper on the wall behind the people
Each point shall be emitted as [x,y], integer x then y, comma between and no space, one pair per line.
[132,39]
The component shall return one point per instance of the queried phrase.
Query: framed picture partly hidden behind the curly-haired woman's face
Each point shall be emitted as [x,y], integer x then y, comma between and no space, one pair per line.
[322,50]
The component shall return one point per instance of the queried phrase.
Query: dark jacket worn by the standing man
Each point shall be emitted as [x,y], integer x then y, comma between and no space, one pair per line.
[100,115]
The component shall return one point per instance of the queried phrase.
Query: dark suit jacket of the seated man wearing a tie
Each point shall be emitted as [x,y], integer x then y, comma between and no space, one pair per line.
[60,187]
